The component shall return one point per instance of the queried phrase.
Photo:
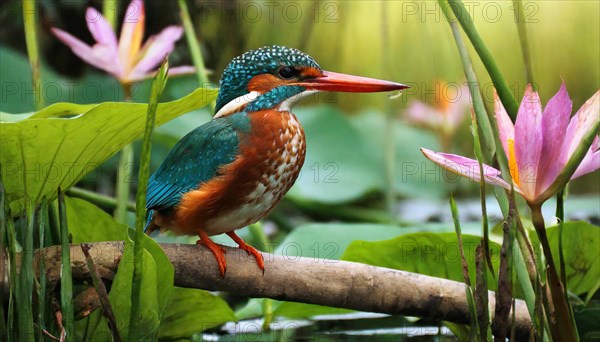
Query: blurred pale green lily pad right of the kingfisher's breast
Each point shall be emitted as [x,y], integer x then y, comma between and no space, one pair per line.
[344,162]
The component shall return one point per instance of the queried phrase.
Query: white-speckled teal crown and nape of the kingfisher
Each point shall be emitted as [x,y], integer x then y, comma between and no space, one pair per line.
[267,59]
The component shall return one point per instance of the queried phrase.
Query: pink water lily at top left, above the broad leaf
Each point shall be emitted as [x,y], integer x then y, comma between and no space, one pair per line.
[127,60]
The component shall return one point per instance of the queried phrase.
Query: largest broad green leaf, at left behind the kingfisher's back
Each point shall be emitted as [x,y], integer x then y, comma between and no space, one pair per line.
[47,150]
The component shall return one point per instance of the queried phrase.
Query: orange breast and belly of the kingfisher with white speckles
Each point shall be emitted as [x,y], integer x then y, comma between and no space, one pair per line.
[269,161]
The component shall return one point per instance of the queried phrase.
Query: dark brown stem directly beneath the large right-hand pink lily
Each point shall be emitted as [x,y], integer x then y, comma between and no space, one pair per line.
[562,326]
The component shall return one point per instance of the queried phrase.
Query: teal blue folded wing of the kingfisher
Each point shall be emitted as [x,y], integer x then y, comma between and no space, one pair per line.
[195,159]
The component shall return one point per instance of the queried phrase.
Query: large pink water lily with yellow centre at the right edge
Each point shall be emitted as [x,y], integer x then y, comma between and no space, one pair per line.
[538,145]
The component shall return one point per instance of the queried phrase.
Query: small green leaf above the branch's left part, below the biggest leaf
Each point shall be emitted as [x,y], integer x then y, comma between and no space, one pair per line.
[88,223]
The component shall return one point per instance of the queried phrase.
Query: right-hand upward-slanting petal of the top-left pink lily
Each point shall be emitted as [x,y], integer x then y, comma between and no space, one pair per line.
[156,49]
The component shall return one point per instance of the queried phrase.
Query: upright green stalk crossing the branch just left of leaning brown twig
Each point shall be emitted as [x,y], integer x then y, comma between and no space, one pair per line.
[66,279]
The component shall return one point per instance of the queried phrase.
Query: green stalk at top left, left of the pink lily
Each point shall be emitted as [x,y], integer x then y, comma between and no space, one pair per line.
[30,18]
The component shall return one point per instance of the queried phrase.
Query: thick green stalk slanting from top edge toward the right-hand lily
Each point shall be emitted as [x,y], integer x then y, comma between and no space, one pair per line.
[466,22]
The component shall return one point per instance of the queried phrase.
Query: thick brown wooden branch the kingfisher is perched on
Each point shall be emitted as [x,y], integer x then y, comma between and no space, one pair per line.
[290,278]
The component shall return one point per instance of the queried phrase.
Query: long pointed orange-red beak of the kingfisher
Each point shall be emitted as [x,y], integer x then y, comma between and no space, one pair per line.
[333,81]
